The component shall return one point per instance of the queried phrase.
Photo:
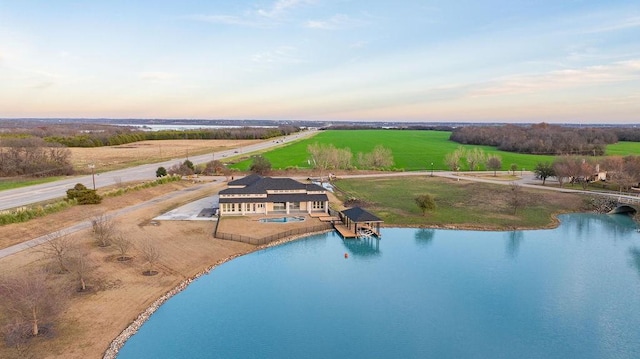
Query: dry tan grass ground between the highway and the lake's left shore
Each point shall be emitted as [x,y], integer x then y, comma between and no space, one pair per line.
[119,291]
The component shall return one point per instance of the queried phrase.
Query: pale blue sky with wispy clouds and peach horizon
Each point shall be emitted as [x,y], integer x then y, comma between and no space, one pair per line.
[555,61]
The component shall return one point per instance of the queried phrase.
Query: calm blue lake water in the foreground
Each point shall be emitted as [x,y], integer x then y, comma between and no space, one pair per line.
[570,292]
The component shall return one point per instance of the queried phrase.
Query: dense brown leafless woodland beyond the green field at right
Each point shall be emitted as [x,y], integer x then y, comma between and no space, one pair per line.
[538,139]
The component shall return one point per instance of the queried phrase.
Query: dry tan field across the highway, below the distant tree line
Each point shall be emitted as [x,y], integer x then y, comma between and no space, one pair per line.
[115,157]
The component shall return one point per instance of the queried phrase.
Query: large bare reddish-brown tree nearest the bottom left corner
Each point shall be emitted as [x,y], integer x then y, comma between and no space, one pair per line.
[29,301]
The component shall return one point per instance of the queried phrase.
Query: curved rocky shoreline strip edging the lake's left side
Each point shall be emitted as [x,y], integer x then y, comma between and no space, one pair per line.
[118,342]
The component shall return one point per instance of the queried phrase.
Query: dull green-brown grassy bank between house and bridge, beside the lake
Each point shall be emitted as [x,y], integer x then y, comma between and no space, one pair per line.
[459,203]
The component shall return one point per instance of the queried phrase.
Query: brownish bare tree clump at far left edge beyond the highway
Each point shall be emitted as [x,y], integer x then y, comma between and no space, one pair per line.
[33,157]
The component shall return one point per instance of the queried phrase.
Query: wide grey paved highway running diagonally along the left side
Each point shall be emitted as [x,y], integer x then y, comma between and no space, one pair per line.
[47,191]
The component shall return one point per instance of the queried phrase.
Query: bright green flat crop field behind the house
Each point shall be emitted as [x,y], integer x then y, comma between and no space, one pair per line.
[412,150]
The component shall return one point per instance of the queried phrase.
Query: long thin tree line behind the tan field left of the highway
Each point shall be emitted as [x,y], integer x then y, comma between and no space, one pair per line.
[120,137]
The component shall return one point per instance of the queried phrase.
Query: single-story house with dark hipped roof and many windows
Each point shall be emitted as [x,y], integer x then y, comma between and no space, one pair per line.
[255,194]
